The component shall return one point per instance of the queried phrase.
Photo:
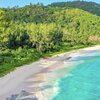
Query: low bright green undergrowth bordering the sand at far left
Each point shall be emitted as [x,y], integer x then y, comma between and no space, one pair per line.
[11,59]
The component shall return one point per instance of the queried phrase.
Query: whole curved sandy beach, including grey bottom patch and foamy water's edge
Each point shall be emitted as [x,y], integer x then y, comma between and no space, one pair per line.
[37,81]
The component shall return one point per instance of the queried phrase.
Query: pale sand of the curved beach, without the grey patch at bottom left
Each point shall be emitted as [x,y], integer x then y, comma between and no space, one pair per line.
[37,75]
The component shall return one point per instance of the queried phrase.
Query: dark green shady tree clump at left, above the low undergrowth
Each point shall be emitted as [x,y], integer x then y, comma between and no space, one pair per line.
[19,38]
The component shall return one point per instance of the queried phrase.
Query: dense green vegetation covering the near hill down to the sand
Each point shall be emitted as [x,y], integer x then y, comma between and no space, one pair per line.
[34,31]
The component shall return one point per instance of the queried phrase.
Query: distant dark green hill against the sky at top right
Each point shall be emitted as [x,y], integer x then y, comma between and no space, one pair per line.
[91,7]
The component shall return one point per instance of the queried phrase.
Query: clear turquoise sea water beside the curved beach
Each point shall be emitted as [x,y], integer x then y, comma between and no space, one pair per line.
[84,82]
